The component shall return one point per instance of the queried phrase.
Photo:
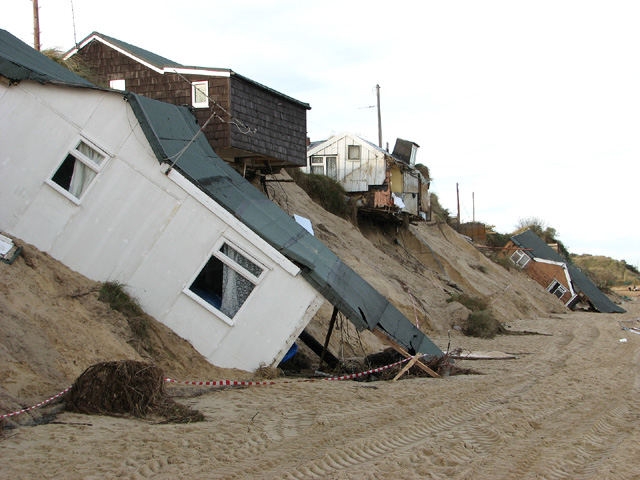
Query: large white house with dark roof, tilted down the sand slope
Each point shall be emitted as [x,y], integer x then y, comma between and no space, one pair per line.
[130,191]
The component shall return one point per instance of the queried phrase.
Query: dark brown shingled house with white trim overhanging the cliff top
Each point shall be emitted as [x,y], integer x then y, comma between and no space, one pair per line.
[248,124]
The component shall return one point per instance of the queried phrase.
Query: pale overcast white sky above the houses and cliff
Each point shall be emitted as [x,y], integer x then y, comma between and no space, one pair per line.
[532,106]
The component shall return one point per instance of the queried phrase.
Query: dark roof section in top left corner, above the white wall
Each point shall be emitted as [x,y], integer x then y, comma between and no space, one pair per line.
[18,61]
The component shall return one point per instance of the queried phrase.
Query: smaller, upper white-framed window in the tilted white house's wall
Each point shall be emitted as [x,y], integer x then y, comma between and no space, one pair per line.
[78,170]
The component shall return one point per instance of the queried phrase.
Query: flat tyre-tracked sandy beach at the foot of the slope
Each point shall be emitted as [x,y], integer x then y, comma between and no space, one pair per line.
[566,407]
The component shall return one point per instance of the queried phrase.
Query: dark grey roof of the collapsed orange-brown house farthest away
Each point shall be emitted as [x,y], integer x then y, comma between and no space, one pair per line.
[582,284]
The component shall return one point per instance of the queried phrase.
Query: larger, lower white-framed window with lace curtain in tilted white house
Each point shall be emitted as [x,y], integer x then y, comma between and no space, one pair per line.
[225,282]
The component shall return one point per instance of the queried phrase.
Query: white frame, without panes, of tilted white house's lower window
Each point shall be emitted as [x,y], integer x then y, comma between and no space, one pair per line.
[216,252]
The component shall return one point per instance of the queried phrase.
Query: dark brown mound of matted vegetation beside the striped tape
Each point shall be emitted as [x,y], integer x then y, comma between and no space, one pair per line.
[127,387]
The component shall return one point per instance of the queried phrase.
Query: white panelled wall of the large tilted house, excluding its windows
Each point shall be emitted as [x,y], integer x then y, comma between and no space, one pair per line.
[137,226]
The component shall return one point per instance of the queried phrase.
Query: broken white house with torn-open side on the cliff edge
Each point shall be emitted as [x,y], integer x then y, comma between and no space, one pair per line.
[375,178]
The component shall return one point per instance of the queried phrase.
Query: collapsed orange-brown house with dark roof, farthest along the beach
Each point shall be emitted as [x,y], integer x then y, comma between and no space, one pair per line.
[561,278]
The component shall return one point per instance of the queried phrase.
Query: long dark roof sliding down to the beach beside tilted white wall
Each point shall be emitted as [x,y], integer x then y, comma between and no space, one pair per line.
[169,129]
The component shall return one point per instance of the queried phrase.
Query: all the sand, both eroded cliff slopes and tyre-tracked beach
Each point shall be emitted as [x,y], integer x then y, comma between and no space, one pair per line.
[564,408]
